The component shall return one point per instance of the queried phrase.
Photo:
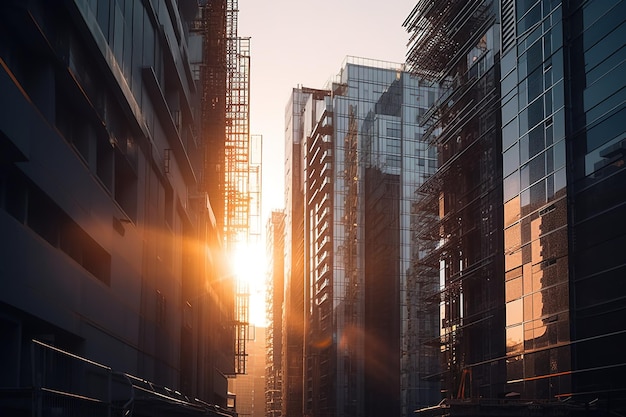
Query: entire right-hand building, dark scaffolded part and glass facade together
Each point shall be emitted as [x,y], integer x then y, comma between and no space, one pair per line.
[530,280]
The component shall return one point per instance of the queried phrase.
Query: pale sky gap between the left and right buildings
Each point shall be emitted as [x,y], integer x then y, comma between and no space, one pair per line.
[304,43]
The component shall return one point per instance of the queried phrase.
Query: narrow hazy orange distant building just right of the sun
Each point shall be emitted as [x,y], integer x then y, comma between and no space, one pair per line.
[275,293]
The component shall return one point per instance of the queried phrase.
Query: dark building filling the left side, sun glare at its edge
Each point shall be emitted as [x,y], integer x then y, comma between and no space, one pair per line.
[111,250]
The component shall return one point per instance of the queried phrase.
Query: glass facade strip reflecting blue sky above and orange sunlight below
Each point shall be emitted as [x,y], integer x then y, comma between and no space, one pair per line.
[535,203]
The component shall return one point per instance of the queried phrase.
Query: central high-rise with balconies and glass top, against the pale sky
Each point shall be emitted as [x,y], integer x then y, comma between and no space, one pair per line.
[360,157]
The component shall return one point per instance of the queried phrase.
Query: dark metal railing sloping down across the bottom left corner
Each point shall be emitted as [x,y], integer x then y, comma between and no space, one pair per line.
[65,384]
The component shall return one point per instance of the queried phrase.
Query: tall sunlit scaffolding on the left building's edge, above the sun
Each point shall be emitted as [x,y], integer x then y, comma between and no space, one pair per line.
[232,180]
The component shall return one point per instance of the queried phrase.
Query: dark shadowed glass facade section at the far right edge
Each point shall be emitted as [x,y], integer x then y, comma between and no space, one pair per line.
[596,184]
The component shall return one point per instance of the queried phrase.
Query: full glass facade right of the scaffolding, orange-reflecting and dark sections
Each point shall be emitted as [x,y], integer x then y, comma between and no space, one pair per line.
[564,96]
